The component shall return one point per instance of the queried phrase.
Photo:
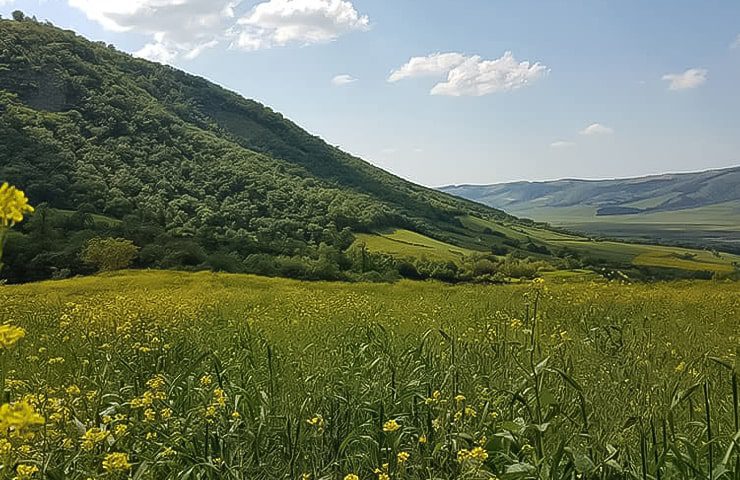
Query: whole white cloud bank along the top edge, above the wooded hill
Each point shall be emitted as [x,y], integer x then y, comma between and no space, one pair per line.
[185,28]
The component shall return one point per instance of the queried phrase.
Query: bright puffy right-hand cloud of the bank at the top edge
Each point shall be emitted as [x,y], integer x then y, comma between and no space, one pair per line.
[304,22]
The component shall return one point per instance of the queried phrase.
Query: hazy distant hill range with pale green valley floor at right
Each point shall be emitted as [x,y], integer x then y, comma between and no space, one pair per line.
[696,209]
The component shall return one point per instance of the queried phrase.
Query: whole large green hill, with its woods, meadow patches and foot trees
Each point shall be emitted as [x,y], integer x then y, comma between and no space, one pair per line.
[108,145]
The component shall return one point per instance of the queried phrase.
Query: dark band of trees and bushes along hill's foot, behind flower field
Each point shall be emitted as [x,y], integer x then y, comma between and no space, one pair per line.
[52,244]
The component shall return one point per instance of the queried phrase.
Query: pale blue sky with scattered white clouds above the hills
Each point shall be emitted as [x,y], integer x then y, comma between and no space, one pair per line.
[461,91]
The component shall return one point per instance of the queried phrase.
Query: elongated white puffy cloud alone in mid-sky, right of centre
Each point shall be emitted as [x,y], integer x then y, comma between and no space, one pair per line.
[471,75]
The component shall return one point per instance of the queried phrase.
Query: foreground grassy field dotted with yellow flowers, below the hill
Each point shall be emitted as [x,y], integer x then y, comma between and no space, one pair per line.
[155,375]
